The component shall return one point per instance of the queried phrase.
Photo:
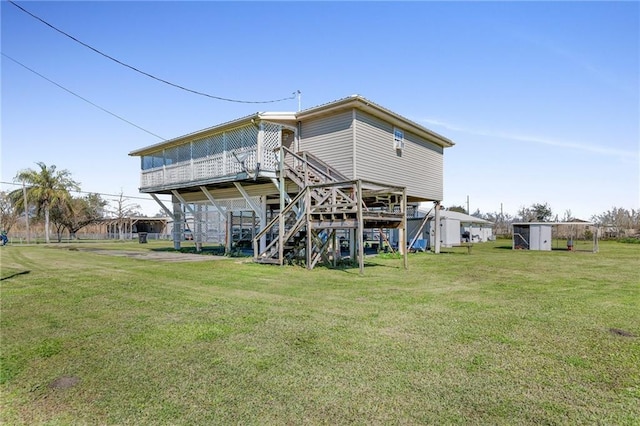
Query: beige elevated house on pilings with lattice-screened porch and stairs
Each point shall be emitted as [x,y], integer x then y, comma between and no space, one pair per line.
[310,181]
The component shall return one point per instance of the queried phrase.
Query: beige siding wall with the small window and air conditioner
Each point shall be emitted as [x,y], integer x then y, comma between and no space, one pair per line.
[418,167]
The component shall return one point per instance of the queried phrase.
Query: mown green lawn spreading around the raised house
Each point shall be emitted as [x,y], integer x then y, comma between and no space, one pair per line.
[495,337]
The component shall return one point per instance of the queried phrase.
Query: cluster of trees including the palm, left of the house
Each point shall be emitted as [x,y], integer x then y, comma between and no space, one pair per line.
[46,197]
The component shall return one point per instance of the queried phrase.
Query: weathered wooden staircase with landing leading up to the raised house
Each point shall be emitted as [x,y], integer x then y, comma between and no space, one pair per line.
[327,201]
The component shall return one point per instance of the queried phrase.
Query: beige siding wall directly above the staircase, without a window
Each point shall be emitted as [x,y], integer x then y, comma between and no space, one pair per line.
[330,139]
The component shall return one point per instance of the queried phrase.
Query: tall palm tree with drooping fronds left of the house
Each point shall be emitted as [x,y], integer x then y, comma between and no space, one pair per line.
[45,187]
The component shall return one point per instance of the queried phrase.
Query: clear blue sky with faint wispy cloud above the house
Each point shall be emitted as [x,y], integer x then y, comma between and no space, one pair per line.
[541,98]
